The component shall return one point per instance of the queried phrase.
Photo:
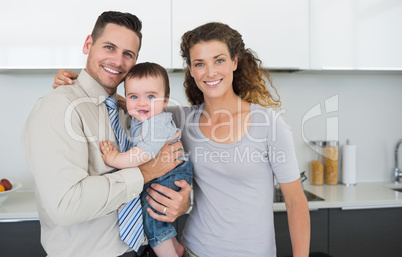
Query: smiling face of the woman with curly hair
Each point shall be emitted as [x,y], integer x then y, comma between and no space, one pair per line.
[212,68]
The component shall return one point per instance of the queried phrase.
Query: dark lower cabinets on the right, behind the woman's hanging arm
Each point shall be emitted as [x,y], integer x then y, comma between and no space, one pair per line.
[347,233]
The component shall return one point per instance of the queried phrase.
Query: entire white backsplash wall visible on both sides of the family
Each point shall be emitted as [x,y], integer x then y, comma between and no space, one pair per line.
[369,114]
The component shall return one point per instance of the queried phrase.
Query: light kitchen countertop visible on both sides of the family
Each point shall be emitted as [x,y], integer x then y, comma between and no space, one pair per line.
[371,195]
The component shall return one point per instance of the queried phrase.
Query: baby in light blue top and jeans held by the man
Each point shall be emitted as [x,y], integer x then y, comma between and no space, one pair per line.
[147,93]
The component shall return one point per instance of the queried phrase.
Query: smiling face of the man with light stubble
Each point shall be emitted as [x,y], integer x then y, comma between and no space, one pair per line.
[111,56]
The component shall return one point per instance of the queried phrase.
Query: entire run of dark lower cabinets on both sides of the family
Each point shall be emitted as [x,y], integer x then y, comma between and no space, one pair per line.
[334,232]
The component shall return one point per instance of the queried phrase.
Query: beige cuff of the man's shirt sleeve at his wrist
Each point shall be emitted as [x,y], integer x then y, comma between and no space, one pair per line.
[134,182]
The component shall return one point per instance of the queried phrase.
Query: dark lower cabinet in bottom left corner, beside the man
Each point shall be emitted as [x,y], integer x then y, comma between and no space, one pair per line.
[20,239]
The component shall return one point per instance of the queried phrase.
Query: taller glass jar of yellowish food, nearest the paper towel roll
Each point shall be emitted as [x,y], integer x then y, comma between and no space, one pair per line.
[331,162]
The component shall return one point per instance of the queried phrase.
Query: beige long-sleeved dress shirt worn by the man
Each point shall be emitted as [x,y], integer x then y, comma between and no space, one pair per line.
[77,194]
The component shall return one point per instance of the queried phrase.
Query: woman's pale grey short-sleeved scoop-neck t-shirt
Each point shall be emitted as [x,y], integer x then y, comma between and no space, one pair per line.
[232,213]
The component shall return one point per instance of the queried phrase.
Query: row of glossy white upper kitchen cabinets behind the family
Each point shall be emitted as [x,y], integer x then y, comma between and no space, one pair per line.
[287,34]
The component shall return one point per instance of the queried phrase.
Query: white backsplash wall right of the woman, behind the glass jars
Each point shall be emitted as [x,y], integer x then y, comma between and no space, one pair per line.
[370,115]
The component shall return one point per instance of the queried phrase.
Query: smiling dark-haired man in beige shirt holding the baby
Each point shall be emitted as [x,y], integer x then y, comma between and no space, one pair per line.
[77,194]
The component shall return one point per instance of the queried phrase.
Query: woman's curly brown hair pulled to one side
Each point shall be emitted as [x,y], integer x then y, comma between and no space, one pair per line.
[248,78]
